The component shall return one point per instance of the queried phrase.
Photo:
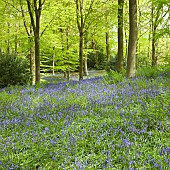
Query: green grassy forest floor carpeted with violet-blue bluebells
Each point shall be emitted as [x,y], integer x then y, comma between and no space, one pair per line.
[89,125]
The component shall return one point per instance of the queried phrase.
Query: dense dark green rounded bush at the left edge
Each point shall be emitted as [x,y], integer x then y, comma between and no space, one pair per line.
[13,70]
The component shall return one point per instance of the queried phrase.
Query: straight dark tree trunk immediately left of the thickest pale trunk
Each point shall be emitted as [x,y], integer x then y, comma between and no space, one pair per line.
[120,35]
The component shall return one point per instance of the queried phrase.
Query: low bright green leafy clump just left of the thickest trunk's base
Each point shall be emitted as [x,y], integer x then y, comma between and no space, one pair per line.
[113,77]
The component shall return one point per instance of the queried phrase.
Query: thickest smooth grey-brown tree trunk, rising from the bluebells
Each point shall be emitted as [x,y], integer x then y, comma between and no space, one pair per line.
[131,60]
